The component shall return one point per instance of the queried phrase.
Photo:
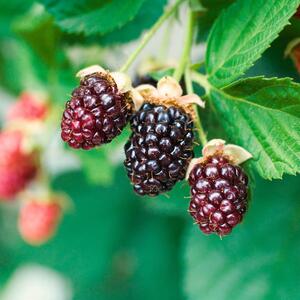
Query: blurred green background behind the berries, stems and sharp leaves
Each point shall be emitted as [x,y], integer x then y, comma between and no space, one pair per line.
[112,244]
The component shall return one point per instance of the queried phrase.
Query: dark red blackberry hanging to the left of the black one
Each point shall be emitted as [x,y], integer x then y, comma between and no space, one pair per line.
[96,113]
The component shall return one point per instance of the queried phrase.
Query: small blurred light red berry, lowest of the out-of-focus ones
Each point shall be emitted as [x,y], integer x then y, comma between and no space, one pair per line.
[38,221]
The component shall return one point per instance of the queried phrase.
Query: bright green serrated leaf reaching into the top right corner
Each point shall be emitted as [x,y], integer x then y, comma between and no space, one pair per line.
[241,34]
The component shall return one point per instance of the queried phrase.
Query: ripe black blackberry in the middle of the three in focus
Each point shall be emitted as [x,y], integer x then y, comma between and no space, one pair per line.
[160,148]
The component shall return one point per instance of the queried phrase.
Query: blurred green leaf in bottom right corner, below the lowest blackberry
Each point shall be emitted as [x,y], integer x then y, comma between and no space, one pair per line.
[259,260]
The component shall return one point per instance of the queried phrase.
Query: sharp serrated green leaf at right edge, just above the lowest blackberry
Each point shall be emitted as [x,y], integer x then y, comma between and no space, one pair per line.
[263,116]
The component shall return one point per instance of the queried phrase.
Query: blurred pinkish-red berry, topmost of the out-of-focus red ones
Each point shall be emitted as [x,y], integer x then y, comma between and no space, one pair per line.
[29,107]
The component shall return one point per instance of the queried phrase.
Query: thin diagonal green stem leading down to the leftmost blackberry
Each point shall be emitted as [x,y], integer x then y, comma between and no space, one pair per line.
[149,34]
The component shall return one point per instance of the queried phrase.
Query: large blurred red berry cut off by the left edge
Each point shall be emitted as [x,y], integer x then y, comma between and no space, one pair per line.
[17,168]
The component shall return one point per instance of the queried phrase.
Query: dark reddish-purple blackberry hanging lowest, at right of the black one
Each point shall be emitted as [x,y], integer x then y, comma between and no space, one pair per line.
[219,195]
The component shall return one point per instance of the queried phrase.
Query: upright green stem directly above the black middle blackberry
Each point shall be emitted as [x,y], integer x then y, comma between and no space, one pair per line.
[185,57]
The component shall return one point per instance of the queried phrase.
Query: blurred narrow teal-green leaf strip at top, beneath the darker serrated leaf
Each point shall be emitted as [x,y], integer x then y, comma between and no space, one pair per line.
[147,15]
